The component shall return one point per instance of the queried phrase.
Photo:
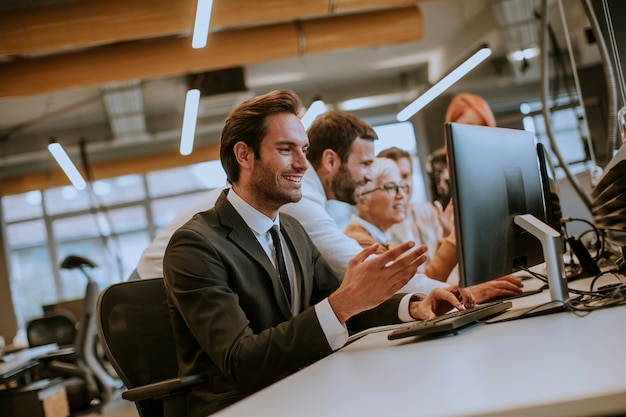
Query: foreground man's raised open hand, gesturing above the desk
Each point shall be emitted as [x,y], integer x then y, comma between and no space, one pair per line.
[369,282]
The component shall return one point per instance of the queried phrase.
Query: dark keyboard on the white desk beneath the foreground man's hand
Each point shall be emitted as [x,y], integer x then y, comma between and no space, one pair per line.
[451,321]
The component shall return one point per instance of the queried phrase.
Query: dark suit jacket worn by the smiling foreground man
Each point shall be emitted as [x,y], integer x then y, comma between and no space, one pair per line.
[230,314]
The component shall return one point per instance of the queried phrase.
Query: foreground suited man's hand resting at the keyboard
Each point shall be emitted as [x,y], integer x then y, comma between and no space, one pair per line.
[440,301]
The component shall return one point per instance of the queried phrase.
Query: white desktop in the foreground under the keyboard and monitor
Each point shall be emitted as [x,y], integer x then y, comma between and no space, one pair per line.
[554,365]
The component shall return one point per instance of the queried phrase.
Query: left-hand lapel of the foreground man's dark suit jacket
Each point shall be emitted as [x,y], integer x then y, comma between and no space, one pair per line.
[241,235]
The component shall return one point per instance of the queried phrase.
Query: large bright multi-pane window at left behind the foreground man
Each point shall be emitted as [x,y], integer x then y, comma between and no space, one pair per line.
[110,223]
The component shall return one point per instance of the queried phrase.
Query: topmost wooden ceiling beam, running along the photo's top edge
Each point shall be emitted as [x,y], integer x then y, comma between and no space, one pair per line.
[83,24]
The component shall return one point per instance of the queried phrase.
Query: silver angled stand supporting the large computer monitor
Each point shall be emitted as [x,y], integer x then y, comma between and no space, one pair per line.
[557,283]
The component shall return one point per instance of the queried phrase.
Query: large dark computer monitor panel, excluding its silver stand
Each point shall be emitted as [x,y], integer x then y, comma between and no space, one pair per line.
[495,176]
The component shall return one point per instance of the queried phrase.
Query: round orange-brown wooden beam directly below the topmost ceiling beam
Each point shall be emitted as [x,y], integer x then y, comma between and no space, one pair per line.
[228,48]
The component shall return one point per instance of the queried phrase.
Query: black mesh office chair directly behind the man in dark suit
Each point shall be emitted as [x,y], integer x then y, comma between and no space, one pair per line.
[135,329]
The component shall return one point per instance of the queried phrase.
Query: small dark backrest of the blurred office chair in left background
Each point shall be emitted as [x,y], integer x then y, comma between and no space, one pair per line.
[56,328]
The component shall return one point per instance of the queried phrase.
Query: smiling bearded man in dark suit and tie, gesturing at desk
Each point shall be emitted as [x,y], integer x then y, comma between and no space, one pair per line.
[234,319]
